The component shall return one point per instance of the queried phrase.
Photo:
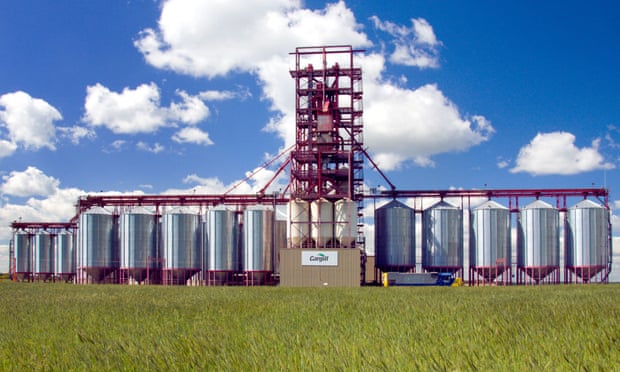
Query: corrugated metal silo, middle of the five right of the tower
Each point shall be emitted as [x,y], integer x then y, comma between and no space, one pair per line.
[489,247]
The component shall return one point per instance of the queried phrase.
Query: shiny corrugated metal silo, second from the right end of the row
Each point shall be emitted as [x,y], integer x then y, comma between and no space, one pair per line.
[538,247]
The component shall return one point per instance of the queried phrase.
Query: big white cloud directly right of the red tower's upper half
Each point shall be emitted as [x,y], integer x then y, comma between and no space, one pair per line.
[404,124]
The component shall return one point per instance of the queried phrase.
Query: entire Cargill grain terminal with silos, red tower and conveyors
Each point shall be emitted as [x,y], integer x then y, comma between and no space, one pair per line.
[311,234]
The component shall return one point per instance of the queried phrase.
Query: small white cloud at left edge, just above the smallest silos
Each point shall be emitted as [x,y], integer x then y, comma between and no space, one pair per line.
[30,182]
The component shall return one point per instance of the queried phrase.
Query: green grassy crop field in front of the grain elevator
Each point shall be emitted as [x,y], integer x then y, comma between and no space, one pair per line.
[62,327]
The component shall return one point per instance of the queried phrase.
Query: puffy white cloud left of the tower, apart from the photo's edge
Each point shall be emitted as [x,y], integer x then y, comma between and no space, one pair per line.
[138,110]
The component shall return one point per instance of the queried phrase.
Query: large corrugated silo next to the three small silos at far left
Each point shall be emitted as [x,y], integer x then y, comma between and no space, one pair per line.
[98,255]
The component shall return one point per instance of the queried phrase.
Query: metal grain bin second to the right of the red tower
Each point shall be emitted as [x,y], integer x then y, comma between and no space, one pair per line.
[442,238]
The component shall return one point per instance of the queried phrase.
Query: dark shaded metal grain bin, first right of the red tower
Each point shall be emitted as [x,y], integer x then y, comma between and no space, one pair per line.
[395,237]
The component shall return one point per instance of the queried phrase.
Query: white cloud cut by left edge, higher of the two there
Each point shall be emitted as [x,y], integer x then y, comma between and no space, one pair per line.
[29,122]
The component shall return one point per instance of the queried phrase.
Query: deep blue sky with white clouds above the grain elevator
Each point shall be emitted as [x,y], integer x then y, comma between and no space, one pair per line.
[169,97]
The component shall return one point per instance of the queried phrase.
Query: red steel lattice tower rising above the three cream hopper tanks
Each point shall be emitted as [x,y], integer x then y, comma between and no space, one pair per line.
[328,159]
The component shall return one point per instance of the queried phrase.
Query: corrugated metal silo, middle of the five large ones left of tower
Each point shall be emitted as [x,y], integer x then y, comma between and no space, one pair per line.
[182,245]
